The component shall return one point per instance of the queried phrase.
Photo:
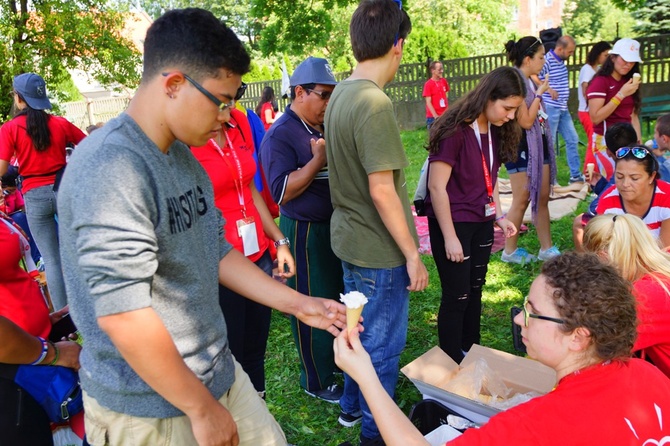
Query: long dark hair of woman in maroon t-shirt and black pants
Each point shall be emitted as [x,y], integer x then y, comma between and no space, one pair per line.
[501,83]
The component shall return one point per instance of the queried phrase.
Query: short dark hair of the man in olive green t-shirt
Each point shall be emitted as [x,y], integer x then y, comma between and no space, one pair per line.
[375,27]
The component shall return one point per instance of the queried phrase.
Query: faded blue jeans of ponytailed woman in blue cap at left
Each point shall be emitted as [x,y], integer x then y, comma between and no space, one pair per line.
[41,212]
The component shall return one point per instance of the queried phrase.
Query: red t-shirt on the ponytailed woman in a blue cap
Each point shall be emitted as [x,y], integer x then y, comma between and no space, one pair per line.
[15,140]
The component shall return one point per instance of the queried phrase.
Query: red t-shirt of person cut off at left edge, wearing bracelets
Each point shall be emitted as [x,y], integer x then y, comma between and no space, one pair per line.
[21,300]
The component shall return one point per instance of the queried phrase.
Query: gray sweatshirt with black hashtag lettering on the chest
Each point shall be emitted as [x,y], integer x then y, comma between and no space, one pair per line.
[138,229]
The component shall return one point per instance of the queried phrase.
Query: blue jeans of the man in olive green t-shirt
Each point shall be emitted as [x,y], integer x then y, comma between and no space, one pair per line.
[385,332]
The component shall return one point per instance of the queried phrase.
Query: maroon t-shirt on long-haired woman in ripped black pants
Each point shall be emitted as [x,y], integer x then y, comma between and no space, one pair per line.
[466,186]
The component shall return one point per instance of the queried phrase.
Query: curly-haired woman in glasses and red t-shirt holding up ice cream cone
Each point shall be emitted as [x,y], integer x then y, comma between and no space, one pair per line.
[585,333]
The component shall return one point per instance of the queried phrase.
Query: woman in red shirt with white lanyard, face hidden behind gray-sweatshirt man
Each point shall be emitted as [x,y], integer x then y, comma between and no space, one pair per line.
[228,160]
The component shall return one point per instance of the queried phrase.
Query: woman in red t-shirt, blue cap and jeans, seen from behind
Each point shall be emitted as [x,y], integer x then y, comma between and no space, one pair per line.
[38,141]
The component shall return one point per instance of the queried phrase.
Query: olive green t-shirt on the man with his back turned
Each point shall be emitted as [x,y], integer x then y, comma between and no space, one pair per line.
[362,138]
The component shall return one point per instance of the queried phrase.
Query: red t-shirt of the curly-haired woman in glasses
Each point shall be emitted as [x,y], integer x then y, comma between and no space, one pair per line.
[615,404]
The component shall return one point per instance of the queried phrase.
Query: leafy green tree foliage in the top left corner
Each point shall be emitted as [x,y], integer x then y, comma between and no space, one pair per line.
[51,36]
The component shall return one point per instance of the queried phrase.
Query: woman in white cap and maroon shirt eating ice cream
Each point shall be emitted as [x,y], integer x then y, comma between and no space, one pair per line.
[613,96]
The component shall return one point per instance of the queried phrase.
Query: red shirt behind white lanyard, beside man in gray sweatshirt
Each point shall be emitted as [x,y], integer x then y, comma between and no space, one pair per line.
[224,174]
